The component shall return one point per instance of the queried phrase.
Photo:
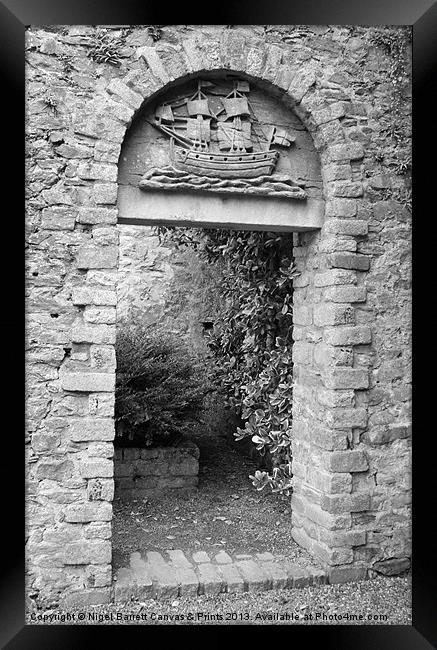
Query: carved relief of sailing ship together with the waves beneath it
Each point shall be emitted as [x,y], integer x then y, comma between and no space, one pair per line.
[218,144]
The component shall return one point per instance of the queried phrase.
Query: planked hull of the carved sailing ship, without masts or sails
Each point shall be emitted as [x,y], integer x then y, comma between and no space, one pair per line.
[229,165]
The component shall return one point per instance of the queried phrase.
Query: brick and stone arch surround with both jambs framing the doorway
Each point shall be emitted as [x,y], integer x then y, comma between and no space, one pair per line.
[337,514]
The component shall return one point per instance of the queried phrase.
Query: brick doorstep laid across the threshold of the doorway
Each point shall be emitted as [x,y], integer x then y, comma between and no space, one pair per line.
[156,576]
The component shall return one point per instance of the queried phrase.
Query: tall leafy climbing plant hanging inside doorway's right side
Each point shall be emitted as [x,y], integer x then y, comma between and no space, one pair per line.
[251,343]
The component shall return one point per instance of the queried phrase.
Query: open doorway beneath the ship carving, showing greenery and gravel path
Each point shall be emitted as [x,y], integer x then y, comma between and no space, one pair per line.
[210,487]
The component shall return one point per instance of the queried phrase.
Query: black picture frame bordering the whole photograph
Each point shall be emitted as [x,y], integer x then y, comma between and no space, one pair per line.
[15,15]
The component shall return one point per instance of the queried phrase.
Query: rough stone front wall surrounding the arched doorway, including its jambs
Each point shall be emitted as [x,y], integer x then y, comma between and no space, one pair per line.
[351,421]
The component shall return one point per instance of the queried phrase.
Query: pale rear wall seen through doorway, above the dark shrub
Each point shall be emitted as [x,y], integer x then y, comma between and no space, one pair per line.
[157,284]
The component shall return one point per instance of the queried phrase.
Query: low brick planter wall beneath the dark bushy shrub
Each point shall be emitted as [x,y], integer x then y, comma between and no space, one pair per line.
[152,472]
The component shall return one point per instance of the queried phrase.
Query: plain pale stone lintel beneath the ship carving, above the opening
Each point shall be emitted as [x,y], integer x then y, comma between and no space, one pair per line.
[203,209]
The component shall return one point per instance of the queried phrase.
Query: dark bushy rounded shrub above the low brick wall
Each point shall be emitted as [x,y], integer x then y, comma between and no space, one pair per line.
[159,388]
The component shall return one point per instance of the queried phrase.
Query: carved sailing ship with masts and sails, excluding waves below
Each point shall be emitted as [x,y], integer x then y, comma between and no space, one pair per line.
[199,125]
